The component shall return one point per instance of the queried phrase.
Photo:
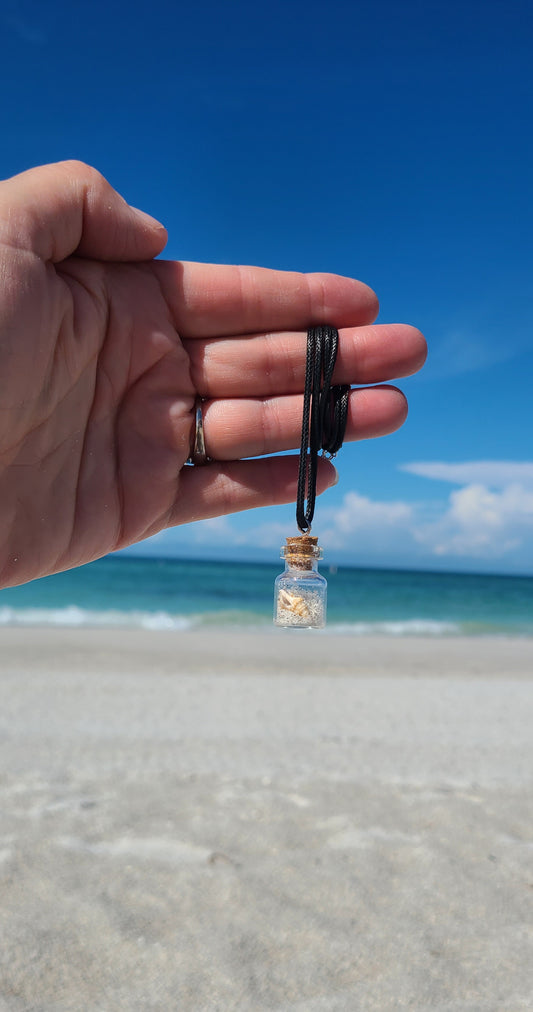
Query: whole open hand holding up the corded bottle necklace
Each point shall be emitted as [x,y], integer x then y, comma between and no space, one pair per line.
[104,352]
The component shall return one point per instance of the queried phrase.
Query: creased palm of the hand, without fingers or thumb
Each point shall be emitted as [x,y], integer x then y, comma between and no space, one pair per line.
[103,408]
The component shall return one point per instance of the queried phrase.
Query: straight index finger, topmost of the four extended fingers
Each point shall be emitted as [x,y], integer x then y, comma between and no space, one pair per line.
[218,300]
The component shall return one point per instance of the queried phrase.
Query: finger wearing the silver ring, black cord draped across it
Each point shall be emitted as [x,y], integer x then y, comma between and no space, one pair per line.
[252,428]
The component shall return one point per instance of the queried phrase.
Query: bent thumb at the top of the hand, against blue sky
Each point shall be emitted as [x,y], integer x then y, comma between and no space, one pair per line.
[69,208]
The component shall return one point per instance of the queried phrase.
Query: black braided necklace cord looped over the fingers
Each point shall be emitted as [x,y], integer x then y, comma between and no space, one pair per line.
[324,418]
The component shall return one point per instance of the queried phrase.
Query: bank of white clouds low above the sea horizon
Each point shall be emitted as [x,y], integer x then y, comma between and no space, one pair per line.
[483,521]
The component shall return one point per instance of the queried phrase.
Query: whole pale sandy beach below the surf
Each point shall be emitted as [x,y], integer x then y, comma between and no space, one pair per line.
[228,821]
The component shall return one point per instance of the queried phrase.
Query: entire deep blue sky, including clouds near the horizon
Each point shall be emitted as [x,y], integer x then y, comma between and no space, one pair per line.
[388,141]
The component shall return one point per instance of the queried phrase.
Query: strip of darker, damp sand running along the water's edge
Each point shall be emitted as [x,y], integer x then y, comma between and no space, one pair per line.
[221,651]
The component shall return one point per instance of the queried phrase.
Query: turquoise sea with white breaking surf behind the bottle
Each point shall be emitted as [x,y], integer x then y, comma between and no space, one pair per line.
[167,595]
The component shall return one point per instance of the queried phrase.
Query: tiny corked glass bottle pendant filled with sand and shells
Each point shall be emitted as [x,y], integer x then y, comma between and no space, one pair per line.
[300,593]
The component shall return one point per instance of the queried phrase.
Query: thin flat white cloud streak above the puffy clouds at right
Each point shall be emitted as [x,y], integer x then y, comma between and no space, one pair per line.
[493,474]
